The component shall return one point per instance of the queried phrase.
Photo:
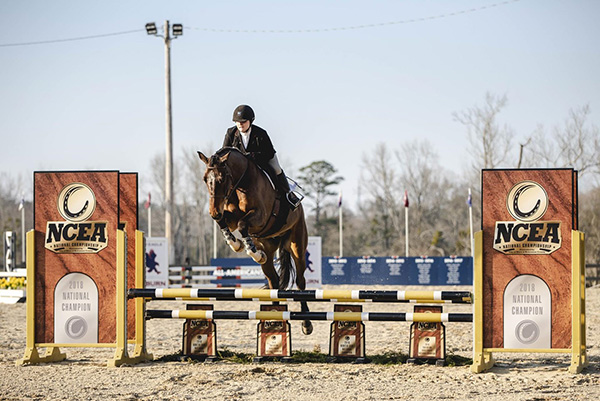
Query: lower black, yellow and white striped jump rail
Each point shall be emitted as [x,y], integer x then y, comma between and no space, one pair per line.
[330,316]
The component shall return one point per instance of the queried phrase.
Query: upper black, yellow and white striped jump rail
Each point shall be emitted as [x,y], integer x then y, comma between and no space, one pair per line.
[301,295]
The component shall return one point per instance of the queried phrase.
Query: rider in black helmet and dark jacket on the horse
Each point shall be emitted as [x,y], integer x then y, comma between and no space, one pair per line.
[256,144]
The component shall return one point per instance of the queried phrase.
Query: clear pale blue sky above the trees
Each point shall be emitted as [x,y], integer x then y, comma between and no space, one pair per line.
[394,74]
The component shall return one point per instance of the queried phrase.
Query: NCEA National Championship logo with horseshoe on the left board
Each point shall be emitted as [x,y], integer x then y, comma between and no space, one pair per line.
[76,203]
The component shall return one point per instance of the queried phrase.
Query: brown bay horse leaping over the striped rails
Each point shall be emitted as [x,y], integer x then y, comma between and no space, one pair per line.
[243,198]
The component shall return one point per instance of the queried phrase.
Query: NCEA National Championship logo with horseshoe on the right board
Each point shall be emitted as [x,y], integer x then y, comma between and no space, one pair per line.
[527,202]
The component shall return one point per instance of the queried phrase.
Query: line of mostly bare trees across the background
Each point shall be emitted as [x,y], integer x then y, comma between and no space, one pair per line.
[438,210]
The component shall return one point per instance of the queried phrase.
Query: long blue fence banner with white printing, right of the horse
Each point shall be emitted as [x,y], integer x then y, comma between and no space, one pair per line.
[394,270]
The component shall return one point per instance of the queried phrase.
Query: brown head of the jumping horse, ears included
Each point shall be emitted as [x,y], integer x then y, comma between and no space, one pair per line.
[219,182]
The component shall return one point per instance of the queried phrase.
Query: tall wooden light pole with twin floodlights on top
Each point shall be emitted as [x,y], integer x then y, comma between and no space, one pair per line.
[177,31]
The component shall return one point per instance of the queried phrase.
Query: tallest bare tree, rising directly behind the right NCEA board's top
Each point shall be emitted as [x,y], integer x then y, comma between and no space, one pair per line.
[490,142]
